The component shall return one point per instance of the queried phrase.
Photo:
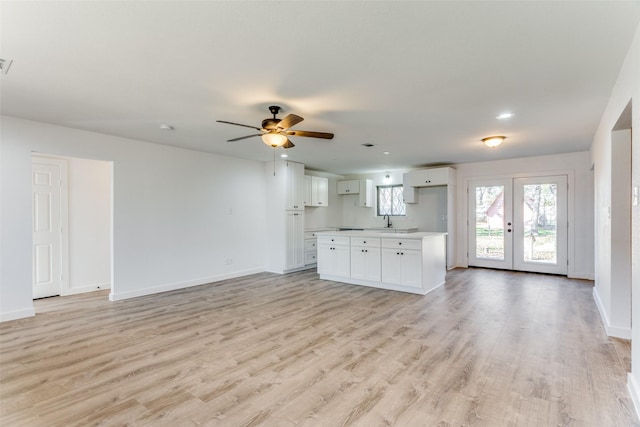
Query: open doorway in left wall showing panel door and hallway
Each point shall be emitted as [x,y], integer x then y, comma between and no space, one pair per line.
[72,225]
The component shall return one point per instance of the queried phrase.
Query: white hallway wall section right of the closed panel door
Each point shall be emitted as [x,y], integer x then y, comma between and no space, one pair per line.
[89,225]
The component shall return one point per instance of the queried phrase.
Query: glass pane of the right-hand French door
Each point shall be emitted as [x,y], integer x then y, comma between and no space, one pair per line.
[540,223]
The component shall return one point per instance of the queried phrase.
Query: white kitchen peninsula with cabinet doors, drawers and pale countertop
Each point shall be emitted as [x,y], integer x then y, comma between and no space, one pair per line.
[406,262]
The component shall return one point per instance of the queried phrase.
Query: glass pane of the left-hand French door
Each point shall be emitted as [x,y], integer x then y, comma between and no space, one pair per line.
[490,222]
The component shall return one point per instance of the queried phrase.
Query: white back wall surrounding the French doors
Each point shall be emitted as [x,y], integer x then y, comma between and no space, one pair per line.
[580,207]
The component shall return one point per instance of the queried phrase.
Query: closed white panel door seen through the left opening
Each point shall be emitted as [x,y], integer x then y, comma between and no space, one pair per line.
[47,228]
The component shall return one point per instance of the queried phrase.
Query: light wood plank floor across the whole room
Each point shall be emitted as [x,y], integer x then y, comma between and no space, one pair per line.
[489,348]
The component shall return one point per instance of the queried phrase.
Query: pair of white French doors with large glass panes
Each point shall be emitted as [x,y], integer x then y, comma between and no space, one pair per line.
[519,224]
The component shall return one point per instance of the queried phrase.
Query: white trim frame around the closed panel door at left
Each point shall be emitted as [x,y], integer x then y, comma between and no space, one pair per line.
[63,165]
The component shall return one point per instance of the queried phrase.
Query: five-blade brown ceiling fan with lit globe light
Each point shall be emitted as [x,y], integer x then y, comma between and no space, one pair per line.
[275,132]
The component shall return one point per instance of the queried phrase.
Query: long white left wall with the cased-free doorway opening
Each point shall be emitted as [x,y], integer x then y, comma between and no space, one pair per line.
[171,222]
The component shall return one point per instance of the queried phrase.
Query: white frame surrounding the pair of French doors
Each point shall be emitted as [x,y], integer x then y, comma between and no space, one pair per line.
[464,199]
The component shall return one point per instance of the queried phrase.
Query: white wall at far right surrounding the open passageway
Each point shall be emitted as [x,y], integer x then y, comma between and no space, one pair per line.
[627,88]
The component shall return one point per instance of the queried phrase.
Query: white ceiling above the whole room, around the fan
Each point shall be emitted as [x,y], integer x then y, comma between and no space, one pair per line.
[421,80]
